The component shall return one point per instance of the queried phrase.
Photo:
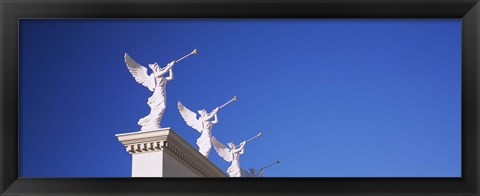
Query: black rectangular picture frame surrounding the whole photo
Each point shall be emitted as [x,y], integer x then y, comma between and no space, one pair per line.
[13,10]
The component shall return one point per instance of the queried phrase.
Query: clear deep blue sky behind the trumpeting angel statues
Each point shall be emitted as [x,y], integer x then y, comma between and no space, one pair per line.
[332,97]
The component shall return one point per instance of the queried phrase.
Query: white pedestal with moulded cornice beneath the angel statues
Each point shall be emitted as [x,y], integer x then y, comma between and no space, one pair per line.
[162,153]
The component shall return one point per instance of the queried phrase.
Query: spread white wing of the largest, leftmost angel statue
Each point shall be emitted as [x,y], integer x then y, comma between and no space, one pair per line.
[139,72]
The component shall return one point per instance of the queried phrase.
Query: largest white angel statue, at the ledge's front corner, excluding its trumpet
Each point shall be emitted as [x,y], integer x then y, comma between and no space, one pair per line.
[155,82]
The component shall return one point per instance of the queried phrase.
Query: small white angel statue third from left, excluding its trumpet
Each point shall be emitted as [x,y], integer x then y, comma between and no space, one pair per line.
[231,154]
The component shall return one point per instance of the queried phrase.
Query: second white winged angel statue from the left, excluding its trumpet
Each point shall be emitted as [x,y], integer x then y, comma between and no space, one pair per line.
[202,125]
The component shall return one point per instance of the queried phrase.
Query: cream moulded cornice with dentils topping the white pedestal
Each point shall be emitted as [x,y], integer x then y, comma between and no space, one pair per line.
[168,141]
